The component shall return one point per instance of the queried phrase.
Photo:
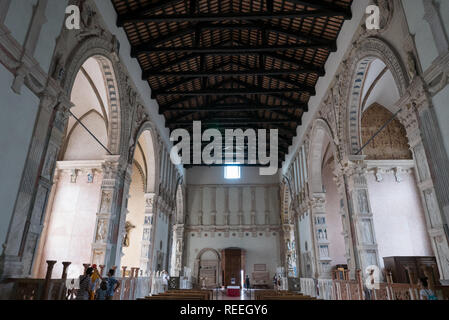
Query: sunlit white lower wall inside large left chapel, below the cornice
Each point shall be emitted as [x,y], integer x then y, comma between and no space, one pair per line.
[71,226]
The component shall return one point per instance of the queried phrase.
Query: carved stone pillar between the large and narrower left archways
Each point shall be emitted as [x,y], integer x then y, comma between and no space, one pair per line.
[106,248]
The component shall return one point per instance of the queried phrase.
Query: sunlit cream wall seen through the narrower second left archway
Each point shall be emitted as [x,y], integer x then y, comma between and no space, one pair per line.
[136,216]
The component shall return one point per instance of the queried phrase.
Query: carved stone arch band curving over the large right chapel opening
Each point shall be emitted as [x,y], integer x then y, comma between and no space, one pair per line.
[367,51]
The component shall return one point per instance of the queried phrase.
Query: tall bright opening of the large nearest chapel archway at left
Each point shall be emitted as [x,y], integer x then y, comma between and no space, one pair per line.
[70,221]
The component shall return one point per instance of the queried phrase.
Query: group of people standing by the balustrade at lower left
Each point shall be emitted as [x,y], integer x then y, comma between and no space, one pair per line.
[92,286]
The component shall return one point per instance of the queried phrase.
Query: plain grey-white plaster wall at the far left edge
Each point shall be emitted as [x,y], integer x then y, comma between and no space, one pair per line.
[16,130]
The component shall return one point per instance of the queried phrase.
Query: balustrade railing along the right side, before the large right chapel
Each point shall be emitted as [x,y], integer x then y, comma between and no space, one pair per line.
[341,287]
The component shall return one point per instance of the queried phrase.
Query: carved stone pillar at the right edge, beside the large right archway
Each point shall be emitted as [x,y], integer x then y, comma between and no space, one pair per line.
[432,168]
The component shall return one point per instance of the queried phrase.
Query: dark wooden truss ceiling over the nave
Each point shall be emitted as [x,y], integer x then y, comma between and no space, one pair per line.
[233,63]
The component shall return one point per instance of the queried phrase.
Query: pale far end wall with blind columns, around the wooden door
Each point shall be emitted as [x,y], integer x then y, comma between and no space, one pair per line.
[261,248]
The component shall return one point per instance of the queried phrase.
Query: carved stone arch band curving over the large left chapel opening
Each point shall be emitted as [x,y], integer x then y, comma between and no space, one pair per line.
[103,51]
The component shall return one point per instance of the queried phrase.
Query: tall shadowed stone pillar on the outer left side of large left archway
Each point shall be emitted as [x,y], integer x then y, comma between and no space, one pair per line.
[20,248]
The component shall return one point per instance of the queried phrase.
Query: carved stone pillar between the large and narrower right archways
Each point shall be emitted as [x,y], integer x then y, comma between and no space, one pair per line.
[361,215]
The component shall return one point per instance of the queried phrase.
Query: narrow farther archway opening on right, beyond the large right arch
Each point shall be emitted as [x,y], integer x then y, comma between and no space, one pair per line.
[330,239]
